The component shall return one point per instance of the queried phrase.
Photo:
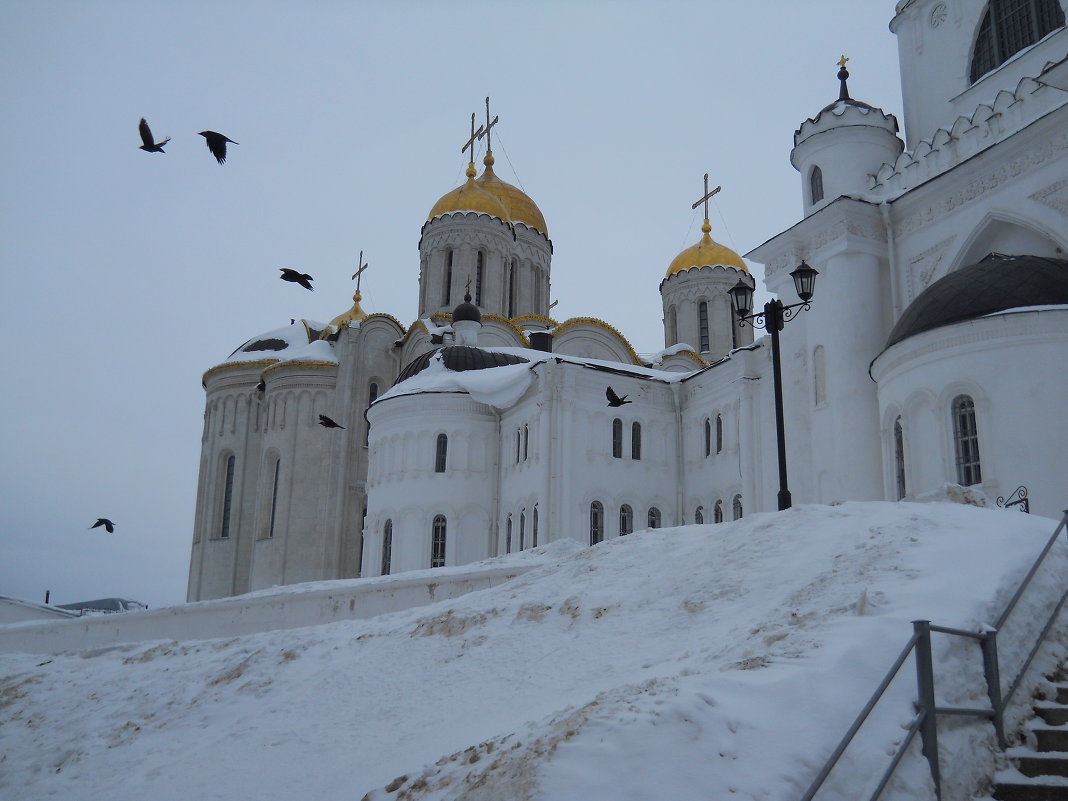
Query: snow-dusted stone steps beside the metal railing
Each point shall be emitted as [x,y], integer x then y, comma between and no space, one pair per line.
[1041,774]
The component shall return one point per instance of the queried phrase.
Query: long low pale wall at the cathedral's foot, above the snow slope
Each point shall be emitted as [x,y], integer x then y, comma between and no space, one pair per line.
[294,606]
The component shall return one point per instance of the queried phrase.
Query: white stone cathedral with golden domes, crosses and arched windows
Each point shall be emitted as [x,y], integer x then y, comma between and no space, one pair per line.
[935,351]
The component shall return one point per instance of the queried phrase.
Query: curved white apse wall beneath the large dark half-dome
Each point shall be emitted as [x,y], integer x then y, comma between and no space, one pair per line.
[1011,365]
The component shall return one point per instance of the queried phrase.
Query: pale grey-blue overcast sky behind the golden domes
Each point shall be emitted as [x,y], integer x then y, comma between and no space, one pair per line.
[127,275]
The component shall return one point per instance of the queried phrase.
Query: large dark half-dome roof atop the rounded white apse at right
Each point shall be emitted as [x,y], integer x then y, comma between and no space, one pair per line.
[994,285]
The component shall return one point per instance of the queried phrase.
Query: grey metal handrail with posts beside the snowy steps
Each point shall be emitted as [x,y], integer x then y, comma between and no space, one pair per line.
[925,720]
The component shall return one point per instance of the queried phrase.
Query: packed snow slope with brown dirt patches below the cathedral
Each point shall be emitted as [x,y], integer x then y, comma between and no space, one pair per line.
[697,663]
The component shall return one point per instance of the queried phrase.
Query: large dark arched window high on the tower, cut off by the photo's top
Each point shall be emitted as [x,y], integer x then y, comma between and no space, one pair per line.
[1009,27]
